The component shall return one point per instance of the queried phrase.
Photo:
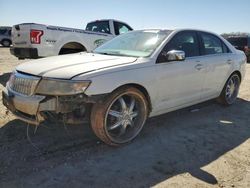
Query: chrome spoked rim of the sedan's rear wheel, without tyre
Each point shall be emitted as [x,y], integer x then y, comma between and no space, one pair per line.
[232,89]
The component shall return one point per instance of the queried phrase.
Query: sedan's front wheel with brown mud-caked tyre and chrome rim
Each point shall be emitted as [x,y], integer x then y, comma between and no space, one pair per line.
[120,118]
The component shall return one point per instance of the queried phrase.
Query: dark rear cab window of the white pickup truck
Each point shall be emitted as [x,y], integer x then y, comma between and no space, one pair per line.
[99,26]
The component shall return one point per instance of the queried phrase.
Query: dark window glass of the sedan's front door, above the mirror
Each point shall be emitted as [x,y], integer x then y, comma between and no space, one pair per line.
[186,41]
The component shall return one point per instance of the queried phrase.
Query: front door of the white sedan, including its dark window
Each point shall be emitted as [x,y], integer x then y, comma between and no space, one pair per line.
[180,82]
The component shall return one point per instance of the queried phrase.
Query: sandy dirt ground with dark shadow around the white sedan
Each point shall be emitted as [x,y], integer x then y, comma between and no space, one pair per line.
[206,145]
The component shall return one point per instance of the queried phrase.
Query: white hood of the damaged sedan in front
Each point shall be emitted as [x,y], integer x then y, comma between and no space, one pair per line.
[68,66]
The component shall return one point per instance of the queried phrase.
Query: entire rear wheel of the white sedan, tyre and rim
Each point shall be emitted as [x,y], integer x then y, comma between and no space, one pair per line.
[230,91]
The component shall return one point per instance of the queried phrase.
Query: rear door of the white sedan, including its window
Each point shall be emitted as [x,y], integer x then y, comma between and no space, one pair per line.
[218,60]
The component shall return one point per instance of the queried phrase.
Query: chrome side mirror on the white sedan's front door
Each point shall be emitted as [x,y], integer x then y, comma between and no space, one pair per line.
[173,55]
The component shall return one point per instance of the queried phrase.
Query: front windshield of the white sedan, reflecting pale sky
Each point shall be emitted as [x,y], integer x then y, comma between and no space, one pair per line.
[136,44]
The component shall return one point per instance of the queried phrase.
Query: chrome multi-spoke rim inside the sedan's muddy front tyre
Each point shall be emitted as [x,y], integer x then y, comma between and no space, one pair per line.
[125,118]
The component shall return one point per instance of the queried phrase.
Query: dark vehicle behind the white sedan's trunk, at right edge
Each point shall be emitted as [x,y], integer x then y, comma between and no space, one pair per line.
[241,43]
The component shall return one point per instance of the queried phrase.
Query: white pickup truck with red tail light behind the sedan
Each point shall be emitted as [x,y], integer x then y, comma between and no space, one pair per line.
[32,40]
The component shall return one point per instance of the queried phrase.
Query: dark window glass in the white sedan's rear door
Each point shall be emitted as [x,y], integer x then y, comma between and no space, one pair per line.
[211,44]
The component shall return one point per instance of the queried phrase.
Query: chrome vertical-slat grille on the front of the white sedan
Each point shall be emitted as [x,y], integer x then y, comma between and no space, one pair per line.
[22,83]
